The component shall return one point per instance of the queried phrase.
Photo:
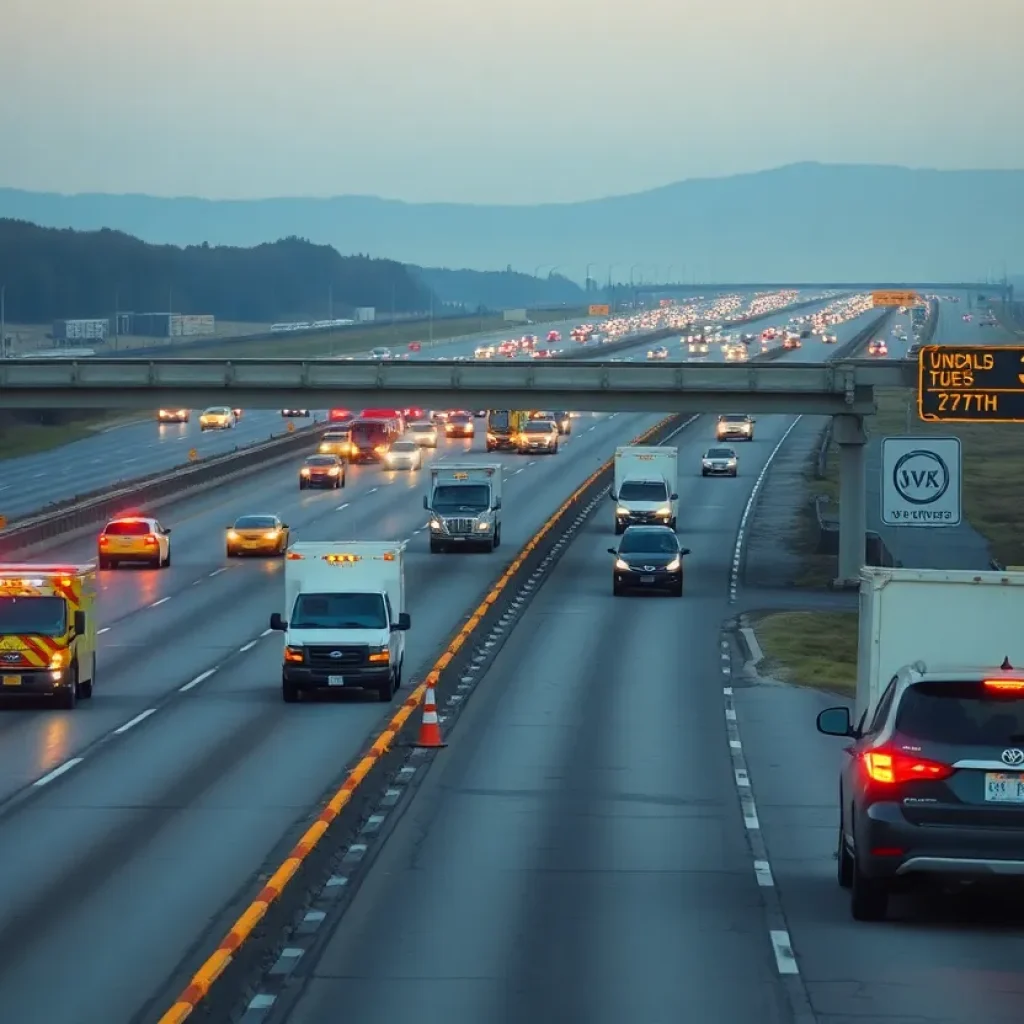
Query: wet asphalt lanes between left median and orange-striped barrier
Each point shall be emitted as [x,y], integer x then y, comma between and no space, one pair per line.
[127,845]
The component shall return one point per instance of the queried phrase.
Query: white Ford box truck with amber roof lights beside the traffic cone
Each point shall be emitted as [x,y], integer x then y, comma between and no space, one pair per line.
[346,603]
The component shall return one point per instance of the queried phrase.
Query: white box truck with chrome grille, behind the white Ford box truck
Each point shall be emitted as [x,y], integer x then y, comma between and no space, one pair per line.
[465,505]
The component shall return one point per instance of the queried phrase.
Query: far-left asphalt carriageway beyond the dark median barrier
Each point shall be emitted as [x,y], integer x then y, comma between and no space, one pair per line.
[134,450]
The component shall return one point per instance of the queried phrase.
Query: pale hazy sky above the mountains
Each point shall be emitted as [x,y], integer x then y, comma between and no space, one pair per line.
[495,101]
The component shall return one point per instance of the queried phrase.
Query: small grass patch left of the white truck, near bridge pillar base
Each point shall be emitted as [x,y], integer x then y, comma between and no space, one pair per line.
[810,649]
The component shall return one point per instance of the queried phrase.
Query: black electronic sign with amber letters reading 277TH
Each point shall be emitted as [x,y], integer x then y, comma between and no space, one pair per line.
[971,385]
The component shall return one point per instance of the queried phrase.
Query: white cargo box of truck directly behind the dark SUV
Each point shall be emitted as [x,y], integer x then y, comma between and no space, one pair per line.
[953,619]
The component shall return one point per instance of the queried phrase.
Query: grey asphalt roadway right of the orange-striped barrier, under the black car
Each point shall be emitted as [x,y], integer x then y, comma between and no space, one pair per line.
[578,852]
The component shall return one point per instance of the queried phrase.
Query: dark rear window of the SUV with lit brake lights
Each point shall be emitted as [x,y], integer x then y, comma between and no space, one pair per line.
[962,715]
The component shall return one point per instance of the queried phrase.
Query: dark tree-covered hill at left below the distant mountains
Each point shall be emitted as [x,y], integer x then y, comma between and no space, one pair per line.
[53,274]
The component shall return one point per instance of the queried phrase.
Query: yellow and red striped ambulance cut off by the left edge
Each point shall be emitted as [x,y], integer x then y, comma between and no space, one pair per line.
[48,631]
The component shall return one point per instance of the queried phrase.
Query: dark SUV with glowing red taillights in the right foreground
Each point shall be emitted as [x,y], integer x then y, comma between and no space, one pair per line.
[933,785]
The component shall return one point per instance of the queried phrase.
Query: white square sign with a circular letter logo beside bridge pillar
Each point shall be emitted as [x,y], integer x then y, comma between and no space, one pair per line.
[921,482]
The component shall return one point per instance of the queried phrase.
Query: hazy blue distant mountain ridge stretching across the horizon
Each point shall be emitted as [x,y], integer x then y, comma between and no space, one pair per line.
[802,222]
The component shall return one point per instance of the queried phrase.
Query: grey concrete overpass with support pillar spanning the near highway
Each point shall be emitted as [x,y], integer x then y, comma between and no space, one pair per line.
[844,391]
